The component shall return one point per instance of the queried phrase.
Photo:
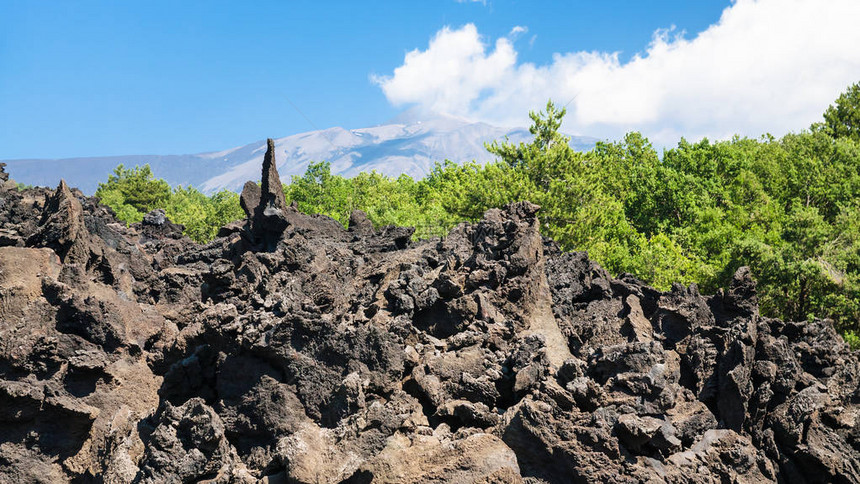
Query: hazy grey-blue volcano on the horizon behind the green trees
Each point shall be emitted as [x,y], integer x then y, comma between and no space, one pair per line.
[410,143]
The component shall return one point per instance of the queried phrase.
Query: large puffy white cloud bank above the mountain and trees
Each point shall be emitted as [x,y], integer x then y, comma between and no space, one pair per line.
[765,66]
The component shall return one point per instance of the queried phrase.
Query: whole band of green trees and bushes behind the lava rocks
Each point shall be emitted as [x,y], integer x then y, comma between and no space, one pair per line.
[789,208]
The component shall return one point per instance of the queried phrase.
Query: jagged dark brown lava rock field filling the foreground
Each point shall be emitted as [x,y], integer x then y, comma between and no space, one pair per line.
[292,350]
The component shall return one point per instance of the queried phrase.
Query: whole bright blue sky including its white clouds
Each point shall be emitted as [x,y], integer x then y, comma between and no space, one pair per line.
[89,78]
